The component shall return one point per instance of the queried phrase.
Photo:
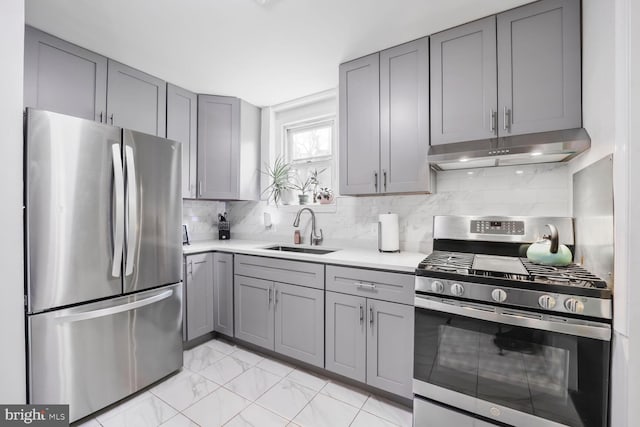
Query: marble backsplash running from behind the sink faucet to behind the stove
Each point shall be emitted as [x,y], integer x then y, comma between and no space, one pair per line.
[538,190]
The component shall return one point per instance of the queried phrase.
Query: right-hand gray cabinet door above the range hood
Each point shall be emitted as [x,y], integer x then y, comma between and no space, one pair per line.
[539,71]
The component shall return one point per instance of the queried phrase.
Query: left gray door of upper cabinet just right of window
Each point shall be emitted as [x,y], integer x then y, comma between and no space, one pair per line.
[360,126]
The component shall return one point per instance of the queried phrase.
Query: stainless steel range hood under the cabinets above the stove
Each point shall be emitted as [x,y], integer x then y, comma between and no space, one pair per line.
[543,147]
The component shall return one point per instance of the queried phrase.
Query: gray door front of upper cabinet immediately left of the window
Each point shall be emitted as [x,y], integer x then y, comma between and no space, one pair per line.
[218,147]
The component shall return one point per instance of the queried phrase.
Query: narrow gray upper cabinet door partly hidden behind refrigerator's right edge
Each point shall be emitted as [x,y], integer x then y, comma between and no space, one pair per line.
[182,122]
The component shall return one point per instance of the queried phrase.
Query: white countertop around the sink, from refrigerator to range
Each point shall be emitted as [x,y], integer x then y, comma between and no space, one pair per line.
[405,262]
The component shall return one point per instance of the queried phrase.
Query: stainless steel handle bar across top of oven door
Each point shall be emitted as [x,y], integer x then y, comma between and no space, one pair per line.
[567,326]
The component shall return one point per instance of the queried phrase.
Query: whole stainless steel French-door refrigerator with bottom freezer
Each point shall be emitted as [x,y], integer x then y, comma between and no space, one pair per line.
[104,259]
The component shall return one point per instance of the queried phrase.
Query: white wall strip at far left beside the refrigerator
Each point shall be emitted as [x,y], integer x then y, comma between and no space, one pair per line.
[12,354]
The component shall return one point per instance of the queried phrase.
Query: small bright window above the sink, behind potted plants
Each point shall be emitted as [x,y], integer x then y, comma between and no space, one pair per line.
[309,149]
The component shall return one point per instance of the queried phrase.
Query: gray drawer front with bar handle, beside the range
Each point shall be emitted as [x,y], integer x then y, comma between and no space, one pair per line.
[394,287]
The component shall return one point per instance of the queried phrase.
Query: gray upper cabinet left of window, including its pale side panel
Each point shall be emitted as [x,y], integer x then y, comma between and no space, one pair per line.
[228,148]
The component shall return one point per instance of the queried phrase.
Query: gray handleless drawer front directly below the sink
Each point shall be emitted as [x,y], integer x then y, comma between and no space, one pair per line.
[281,270]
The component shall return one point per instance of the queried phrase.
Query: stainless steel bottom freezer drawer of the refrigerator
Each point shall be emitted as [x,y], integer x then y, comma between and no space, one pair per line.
[95,354]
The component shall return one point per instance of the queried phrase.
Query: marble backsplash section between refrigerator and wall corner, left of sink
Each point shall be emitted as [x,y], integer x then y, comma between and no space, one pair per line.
[201,217]
